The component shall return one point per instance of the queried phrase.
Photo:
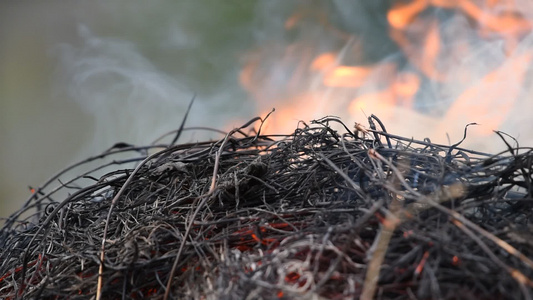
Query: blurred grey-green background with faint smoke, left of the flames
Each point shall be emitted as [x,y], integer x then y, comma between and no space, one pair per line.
[78,76]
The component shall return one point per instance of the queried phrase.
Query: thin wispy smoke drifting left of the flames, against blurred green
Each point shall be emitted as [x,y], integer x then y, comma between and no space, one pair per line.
[130,99]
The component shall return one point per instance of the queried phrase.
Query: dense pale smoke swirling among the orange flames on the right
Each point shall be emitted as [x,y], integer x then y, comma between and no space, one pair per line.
[484,75]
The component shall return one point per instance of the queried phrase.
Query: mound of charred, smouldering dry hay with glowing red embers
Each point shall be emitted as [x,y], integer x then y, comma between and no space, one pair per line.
[317,214]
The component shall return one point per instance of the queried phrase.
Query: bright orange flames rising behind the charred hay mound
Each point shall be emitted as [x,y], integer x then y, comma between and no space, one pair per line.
[459,61]
